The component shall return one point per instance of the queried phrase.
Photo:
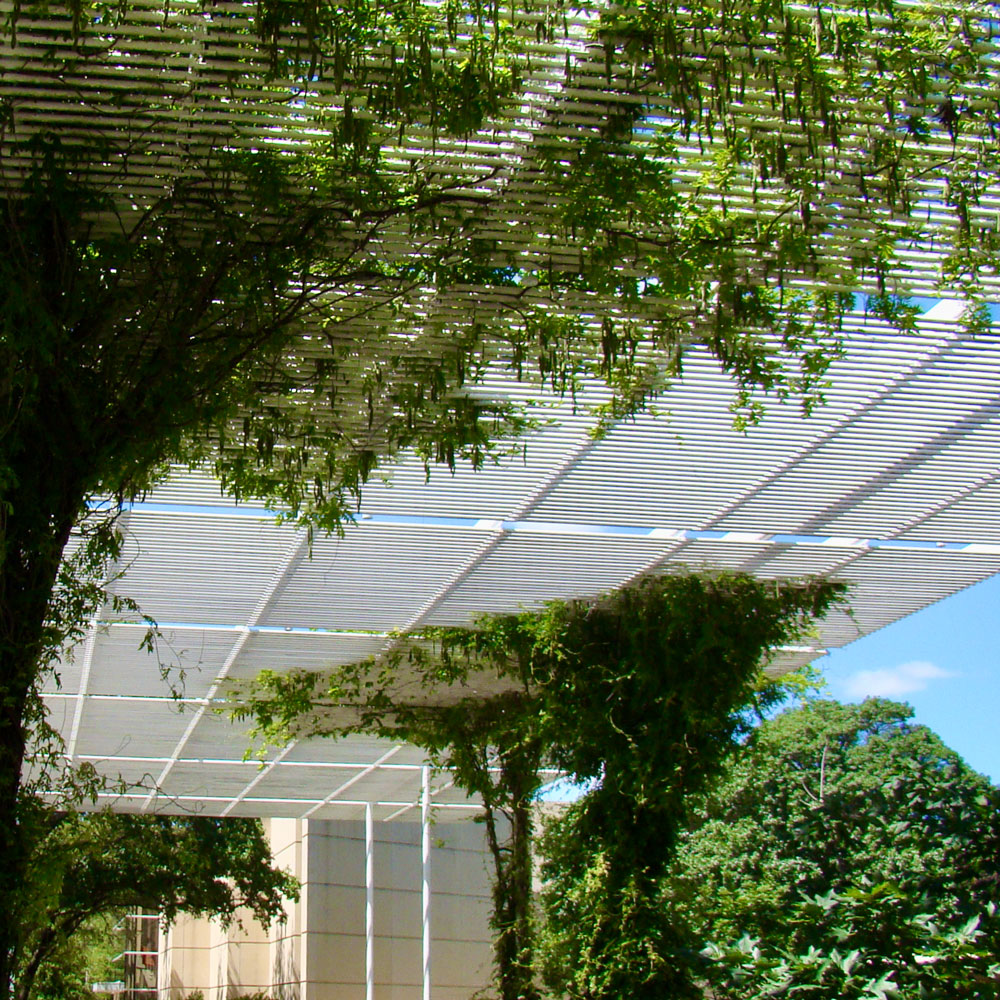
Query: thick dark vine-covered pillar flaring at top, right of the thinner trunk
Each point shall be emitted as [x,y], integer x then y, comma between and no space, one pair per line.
[648,706]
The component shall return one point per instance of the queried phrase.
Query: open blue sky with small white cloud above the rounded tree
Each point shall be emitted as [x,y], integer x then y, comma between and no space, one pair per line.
[944,661]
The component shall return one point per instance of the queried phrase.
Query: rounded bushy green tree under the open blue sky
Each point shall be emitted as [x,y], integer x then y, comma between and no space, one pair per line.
[845,830]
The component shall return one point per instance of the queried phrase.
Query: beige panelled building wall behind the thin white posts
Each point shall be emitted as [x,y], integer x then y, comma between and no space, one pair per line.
[319,953]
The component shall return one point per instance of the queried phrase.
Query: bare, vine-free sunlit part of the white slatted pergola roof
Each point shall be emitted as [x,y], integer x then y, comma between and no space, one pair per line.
[891,486]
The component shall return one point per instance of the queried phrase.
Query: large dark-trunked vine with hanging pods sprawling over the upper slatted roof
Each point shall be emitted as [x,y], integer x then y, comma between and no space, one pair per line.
[271,253]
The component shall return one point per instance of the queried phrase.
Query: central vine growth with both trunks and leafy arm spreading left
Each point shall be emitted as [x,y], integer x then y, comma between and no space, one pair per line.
[639,690]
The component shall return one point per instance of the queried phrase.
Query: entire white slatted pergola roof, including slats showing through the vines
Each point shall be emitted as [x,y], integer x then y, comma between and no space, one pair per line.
[891,485]
